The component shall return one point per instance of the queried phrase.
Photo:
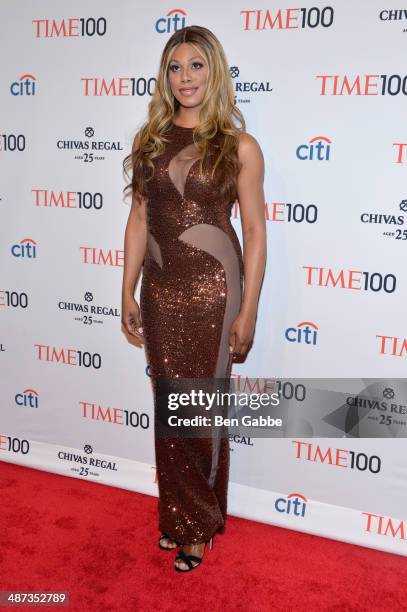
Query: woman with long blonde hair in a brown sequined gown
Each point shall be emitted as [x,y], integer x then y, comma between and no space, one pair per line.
[189,163]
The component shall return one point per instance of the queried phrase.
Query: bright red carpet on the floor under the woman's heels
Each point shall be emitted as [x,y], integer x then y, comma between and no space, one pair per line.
[99,543]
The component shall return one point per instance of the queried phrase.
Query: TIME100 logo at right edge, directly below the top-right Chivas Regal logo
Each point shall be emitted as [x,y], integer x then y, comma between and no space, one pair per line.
[362,85]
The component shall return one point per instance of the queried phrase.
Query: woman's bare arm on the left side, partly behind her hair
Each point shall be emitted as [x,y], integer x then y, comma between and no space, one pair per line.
[135,244]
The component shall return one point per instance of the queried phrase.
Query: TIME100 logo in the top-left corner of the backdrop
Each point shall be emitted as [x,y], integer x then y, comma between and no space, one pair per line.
[70,27]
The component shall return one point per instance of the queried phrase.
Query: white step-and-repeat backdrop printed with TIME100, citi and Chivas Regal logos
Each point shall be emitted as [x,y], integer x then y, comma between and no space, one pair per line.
[323,89]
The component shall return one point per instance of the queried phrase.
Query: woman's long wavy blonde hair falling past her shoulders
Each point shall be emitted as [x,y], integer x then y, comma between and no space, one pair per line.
[215,136]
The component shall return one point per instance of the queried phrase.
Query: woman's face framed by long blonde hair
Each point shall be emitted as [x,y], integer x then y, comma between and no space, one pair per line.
[188,73]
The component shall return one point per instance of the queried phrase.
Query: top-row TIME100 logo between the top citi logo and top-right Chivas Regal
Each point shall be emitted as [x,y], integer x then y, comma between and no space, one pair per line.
[288,19]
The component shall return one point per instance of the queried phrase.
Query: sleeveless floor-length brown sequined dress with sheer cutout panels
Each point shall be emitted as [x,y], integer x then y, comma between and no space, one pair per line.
[190,294]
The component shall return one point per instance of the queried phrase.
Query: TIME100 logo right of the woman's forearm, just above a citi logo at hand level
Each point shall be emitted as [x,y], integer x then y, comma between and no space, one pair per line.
[356,280]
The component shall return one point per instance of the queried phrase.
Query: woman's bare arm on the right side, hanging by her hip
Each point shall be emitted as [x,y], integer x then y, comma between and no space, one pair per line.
[251,203]
